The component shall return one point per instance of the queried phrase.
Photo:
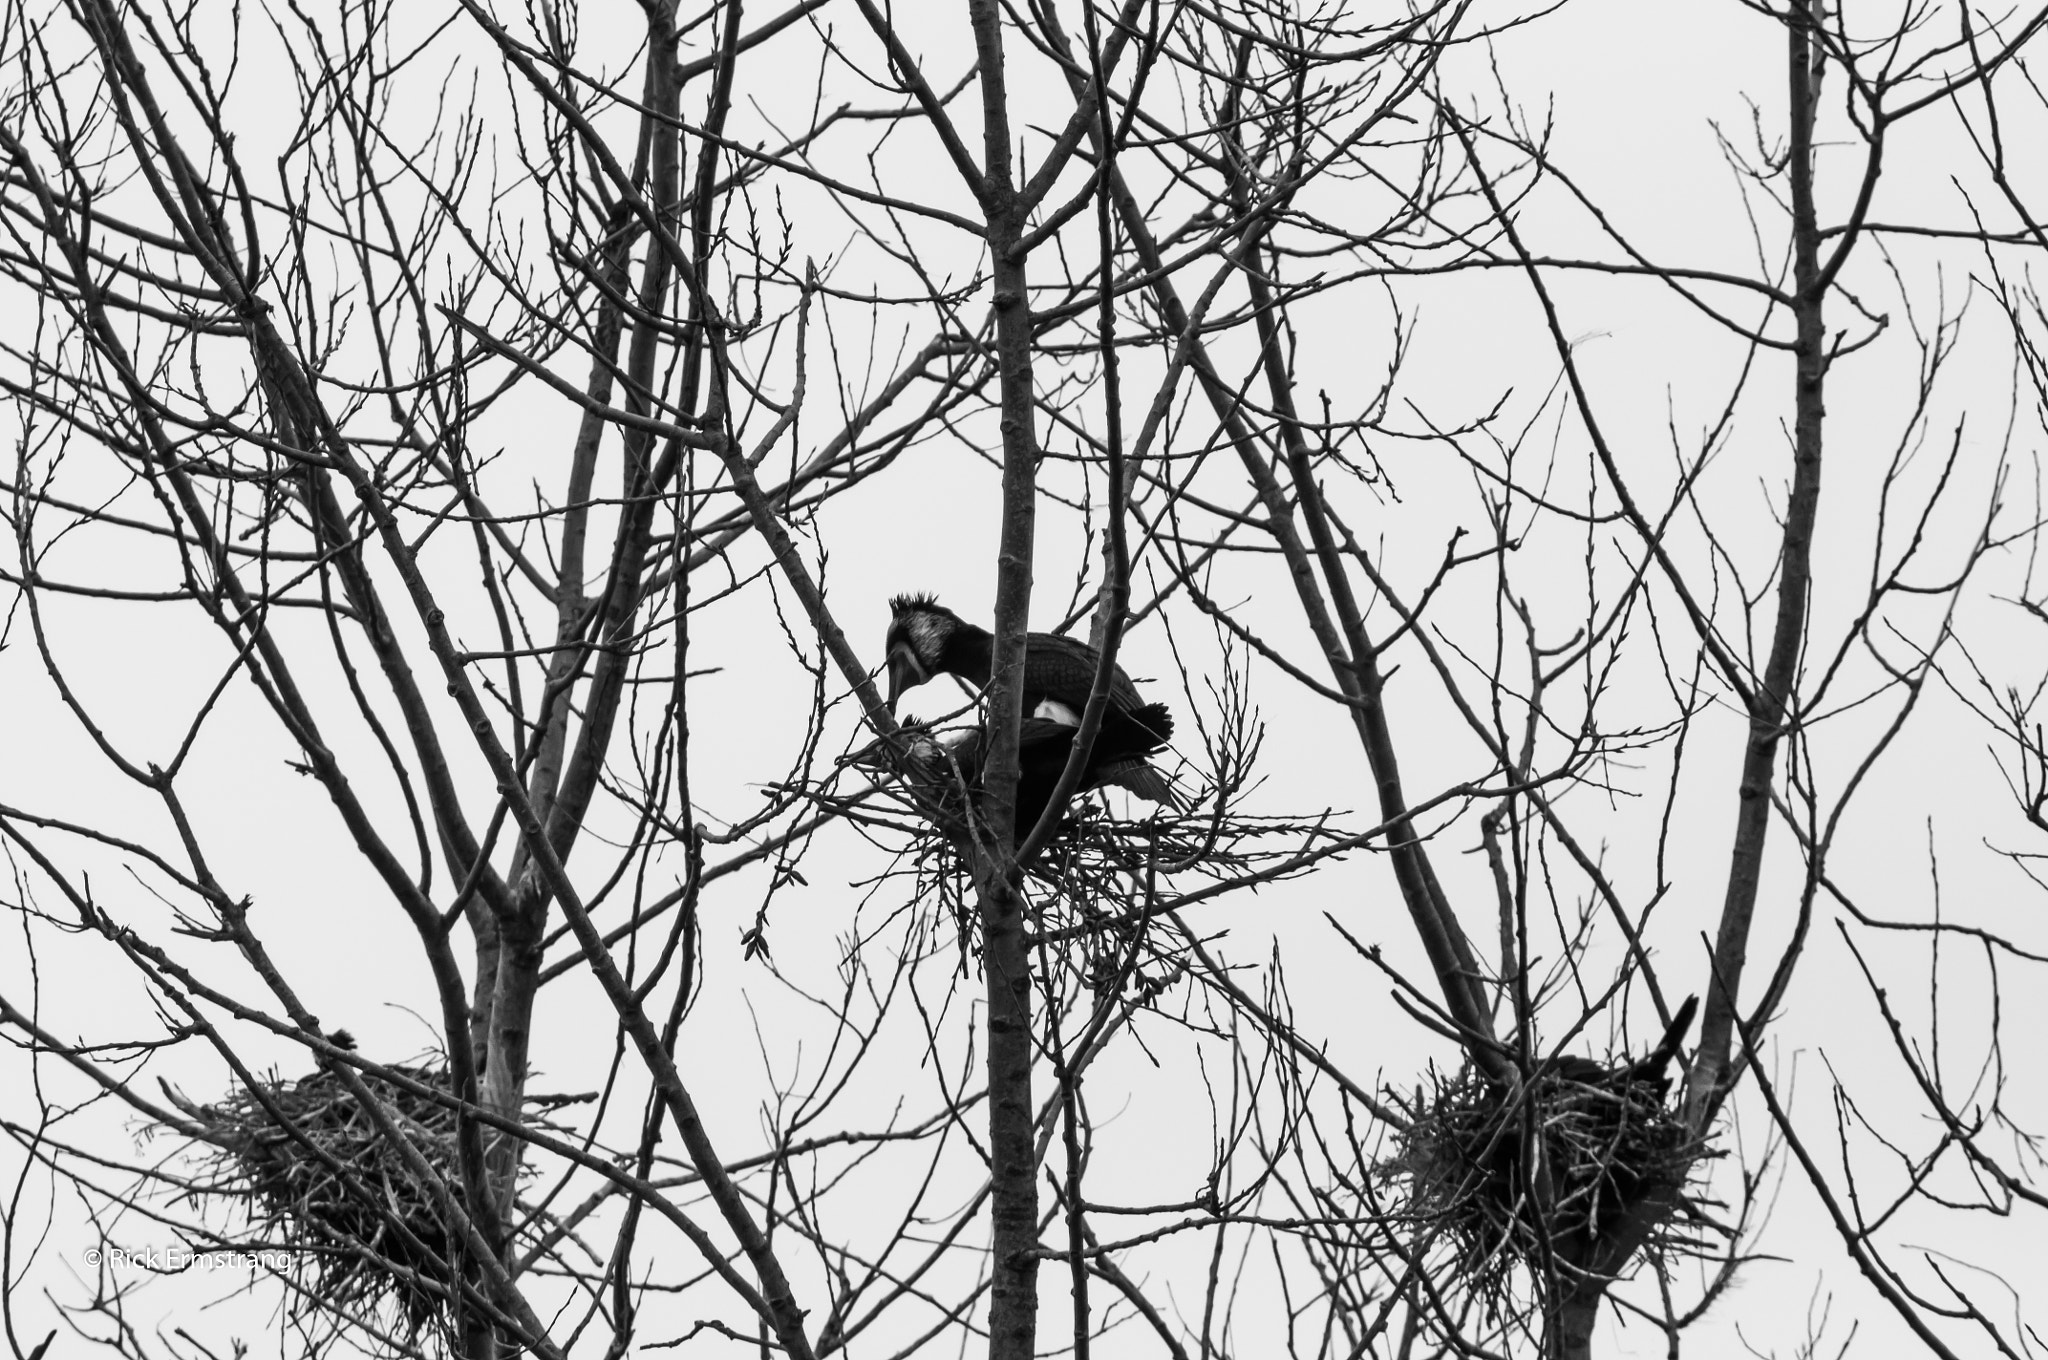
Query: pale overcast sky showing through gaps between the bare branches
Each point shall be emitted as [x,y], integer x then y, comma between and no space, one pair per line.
[1635,97]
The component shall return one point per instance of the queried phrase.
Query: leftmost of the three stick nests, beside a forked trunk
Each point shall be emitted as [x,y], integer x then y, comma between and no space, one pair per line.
[318,1177]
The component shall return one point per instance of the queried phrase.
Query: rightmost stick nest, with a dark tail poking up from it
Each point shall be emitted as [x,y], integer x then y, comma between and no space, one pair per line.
[1543,1175]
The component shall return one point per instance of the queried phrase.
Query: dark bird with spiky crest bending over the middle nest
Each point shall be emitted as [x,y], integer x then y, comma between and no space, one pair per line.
[929,640]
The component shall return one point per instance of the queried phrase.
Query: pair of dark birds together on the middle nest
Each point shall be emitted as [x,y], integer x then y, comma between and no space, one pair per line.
[929,640]
